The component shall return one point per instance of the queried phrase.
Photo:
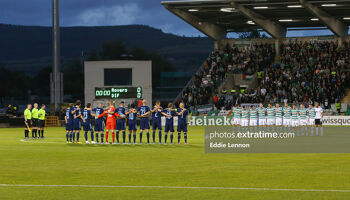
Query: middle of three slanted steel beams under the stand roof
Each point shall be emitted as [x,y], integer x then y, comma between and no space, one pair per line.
[274,29]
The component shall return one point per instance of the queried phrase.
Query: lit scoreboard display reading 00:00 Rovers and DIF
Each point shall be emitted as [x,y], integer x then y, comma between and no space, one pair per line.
[118,92]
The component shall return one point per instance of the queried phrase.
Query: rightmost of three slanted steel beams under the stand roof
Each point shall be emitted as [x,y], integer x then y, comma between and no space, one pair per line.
[336,26]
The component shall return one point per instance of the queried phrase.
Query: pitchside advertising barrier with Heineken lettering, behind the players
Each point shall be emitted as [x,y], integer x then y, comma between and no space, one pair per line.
[228,121]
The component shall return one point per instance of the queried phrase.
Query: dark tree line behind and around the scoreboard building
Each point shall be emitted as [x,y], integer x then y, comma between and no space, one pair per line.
[18,84]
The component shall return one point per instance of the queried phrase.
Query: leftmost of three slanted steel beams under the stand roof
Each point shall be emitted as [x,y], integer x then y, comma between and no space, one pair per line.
[211,30]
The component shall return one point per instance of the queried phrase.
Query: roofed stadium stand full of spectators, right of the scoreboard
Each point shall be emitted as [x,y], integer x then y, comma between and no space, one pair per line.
[304,70]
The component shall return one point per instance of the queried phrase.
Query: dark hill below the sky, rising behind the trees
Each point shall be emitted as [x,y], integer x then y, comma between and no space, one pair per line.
[29,48]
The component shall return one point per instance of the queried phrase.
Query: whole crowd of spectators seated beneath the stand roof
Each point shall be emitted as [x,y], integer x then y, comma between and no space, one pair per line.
[306,72]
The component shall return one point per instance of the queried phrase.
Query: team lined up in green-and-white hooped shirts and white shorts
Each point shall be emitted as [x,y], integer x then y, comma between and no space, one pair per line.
[267,119]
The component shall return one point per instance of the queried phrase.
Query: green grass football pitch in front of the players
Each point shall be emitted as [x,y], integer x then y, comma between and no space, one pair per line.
[52,169]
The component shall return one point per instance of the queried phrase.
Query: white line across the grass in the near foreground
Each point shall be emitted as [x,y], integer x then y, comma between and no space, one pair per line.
[175,187]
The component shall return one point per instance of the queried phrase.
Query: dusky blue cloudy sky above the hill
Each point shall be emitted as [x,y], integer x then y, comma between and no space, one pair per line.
[101,12]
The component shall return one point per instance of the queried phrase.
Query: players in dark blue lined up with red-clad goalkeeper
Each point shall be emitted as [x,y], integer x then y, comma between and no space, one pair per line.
[117,118]
